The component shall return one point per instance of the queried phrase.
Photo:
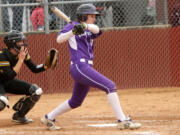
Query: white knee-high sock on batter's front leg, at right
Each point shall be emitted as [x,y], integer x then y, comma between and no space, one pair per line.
[115,104]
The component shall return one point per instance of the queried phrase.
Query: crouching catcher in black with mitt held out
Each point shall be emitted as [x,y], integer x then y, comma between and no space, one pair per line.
[11,61]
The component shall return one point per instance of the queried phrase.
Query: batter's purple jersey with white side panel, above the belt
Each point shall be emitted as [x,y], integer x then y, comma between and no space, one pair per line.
[80,46]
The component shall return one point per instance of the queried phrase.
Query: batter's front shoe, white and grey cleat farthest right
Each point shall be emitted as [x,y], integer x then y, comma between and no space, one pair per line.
[128,124]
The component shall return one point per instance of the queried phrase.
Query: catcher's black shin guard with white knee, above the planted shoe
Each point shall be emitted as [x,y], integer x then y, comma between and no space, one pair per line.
[25,104]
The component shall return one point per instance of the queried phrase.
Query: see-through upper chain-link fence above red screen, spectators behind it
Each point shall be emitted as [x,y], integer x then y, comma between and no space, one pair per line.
[35,15]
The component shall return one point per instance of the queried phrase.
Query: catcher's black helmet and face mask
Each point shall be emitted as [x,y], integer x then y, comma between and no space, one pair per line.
[12,38]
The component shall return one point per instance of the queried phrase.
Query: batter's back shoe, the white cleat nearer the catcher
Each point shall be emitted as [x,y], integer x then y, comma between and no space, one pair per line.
[49,123]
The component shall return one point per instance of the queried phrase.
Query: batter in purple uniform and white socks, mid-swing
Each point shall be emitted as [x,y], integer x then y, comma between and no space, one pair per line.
[80,36]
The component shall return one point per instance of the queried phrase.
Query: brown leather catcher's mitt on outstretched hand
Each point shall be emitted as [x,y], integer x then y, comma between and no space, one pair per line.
[51,59]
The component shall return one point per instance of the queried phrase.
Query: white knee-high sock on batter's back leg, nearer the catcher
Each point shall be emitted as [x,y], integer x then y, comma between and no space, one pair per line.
[62,108]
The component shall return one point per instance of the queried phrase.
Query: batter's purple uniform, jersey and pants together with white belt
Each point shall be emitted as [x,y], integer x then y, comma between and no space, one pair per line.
[82,71]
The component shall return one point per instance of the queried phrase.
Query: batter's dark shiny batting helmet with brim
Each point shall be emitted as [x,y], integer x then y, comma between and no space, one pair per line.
[84,10]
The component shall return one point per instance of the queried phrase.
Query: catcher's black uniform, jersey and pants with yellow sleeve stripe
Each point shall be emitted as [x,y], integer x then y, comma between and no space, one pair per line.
[8,82]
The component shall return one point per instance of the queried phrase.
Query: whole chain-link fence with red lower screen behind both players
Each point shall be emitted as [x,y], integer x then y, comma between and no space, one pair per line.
[139,46]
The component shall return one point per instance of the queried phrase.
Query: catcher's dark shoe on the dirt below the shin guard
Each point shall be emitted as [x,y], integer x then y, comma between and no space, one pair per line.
[21,120]
